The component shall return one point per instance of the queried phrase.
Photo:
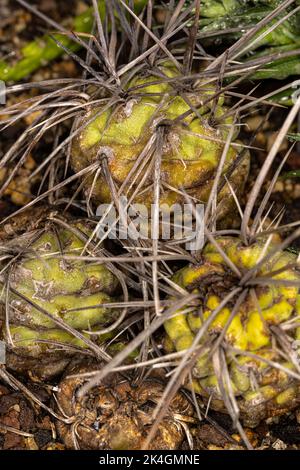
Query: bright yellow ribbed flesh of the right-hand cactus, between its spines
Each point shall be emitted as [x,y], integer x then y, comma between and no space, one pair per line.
[252,378]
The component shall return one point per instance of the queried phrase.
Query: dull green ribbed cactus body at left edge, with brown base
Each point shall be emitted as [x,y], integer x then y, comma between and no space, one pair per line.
[40,286]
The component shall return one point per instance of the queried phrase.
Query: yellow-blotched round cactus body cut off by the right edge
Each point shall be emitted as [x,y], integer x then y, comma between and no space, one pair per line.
[259,336]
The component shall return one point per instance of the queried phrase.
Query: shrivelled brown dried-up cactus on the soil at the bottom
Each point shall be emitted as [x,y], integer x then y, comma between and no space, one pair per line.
[117,414]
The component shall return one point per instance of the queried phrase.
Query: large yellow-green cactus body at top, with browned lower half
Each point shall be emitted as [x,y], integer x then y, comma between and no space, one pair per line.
[189,144]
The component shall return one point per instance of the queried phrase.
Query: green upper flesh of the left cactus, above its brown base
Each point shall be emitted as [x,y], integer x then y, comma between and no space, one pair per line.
[72,290]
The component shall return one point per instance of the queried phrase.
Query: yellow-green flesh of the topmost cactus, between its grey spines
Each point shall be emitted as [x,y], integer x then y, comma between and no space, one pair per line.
[191,150]
